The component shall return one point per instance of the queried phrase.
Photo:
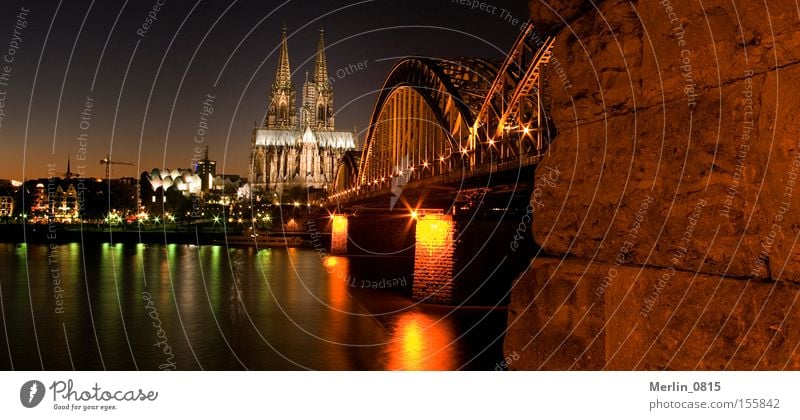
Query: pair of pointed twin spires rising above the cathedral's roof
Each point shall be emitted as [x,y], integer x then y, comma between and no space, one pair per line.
[317,108]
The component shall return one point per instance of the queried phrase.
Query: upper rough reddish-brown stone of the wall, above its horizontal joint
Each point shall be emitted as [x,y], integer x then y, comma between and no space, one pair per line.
[686,105]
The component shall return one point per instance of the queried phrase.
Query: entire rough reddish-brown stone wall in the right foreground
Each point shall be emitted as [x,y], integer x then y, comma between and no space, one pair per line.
[678,150]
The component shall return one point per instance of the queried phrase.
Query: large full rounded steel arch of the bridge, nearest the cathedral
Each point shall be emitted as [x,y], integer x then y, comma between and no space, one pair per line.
[422,119]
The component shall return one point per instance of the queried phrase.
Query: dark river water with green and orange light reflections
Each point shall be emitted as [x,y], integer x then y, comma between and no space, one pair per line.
[148,307]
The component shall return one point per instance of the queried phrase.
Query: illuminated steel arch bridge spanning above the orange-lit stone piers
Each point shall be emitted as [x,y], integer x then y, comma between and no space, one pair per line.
[440,120]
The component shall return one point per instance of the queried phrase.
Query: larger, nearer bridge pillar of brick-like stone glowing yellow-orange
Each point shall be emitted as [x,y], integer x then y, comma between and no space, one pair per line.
[434,259]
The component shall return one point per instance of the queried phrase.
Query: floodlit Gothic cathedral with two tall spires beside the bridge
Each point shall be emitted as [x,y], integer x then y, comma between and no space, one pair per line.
[294,148]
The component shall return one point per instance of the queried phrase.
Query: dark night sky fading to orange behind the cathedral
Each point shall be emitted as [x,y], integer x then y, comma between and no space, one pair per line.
[147,92]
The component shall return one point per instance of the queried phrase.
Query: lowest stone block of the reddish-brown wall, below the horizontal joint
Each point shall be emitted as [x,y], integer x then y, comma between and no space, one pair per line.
[580,320]
